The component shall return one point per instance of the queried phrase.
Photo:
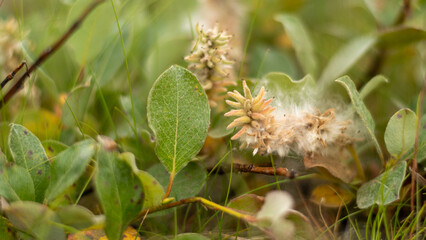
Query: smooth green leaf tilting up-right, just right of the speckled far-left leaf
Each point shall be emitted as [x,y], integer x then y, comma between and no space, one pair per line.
[68,166]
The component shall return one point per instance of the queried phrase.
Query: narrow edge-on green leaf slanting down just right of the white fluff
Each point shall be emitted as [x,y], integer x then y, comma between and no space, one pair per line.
[361,109]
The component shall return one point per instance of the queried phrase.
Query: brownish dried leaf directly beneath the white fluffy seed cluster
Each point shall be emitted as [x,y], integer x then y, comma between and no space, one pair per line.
[332,164]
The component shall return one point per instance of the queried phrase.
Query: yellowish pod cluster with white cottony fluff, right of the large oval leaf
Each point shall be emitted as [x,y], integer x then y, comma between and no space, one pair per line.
[303,131]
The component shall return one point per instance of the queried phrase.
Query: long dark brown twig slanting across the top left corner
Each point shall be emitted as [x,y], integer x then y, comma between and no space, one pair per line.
[48,52]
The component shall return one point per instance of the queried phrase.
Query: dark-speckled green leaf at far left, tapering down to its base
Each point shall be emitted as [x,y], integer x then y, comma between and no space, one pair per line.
[27,151]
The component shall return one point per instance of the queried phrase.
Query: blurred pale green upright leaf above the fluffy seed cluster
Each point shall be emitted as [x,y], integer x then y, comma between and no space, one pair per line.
[301,41]
